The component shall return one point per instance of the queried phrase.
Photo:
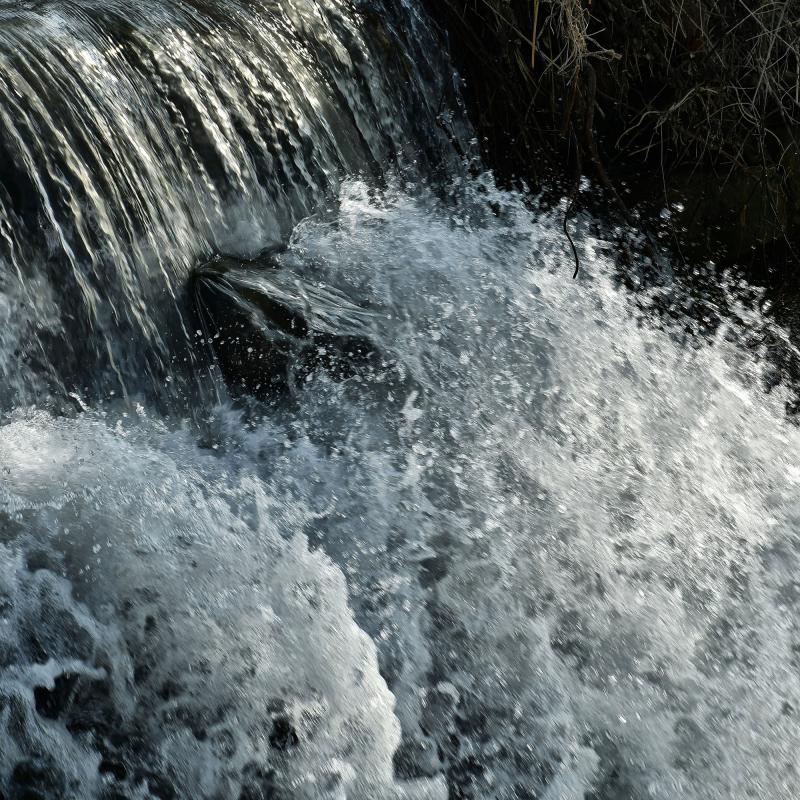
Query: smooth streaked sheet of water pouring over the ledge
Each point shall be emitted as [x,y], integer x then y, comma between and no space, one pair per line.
[137,138]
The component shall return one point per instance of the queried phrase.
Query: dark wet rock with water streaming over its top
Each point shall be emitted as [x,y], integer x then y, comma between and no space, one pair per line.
[269,328]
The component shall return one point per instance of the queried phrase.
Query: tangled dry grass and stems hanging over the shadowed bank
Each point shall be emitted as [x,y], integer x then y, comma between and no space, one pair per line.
[682,84]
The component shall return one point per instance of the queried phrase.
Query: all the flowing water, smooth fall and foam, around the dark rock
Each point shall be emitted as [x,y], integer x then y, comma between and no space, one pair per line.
[538,547]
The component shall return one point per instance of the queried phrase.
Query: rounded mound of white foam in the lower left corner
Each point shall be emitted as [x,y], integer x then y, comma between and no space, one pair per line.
[189,568]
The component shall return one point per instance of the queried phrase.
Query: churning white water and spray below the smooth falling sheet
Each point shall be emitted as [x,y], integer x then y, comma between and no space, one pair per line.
[560,563]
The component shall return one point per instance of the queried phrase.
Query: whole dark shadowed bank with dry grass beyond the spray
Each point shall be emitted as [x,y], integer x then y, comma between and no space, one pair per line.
[683,114]
